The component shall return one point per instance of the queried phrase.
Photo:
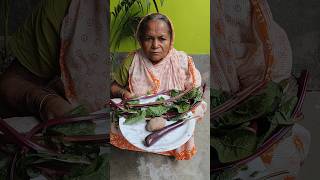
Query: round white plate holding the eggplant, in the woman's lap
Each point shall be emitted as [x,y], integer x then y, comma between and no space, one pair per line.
[136,133]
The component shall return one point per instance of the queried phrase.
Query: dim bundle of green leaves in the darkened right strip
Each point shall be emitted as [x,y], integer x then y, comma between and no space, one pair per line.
[240,131]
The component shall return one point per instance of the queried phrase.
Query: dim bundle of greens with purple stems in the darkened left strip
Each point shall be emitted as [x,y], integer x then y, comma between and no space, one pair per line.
[63,149]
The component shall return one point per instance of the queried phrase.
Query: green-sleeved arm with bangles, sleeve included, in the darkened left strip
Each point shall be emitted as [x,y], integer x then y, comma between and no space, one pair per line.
[30,85]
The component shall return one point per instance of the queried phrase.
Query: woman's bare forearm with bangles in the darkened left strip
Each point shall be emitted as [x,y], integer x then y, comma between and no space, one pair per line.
[28,94]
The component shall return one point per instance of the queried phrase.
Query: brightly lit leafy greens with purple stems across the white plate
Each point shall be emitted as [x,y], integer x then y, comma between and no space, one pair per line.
[174,108]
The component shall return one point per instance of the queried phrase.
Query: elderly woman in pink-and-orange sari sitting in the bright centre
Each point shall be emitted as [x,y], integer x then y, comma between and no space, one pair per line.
[156,67]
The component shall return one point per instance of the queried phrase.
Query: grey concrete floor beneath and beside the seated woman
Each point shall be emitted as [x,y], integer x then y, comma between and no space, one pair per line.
[128,165]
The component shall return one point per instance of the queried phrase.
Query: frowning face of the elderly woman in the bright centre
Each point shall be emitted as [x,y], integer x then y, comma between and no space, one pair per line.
[156,40]
